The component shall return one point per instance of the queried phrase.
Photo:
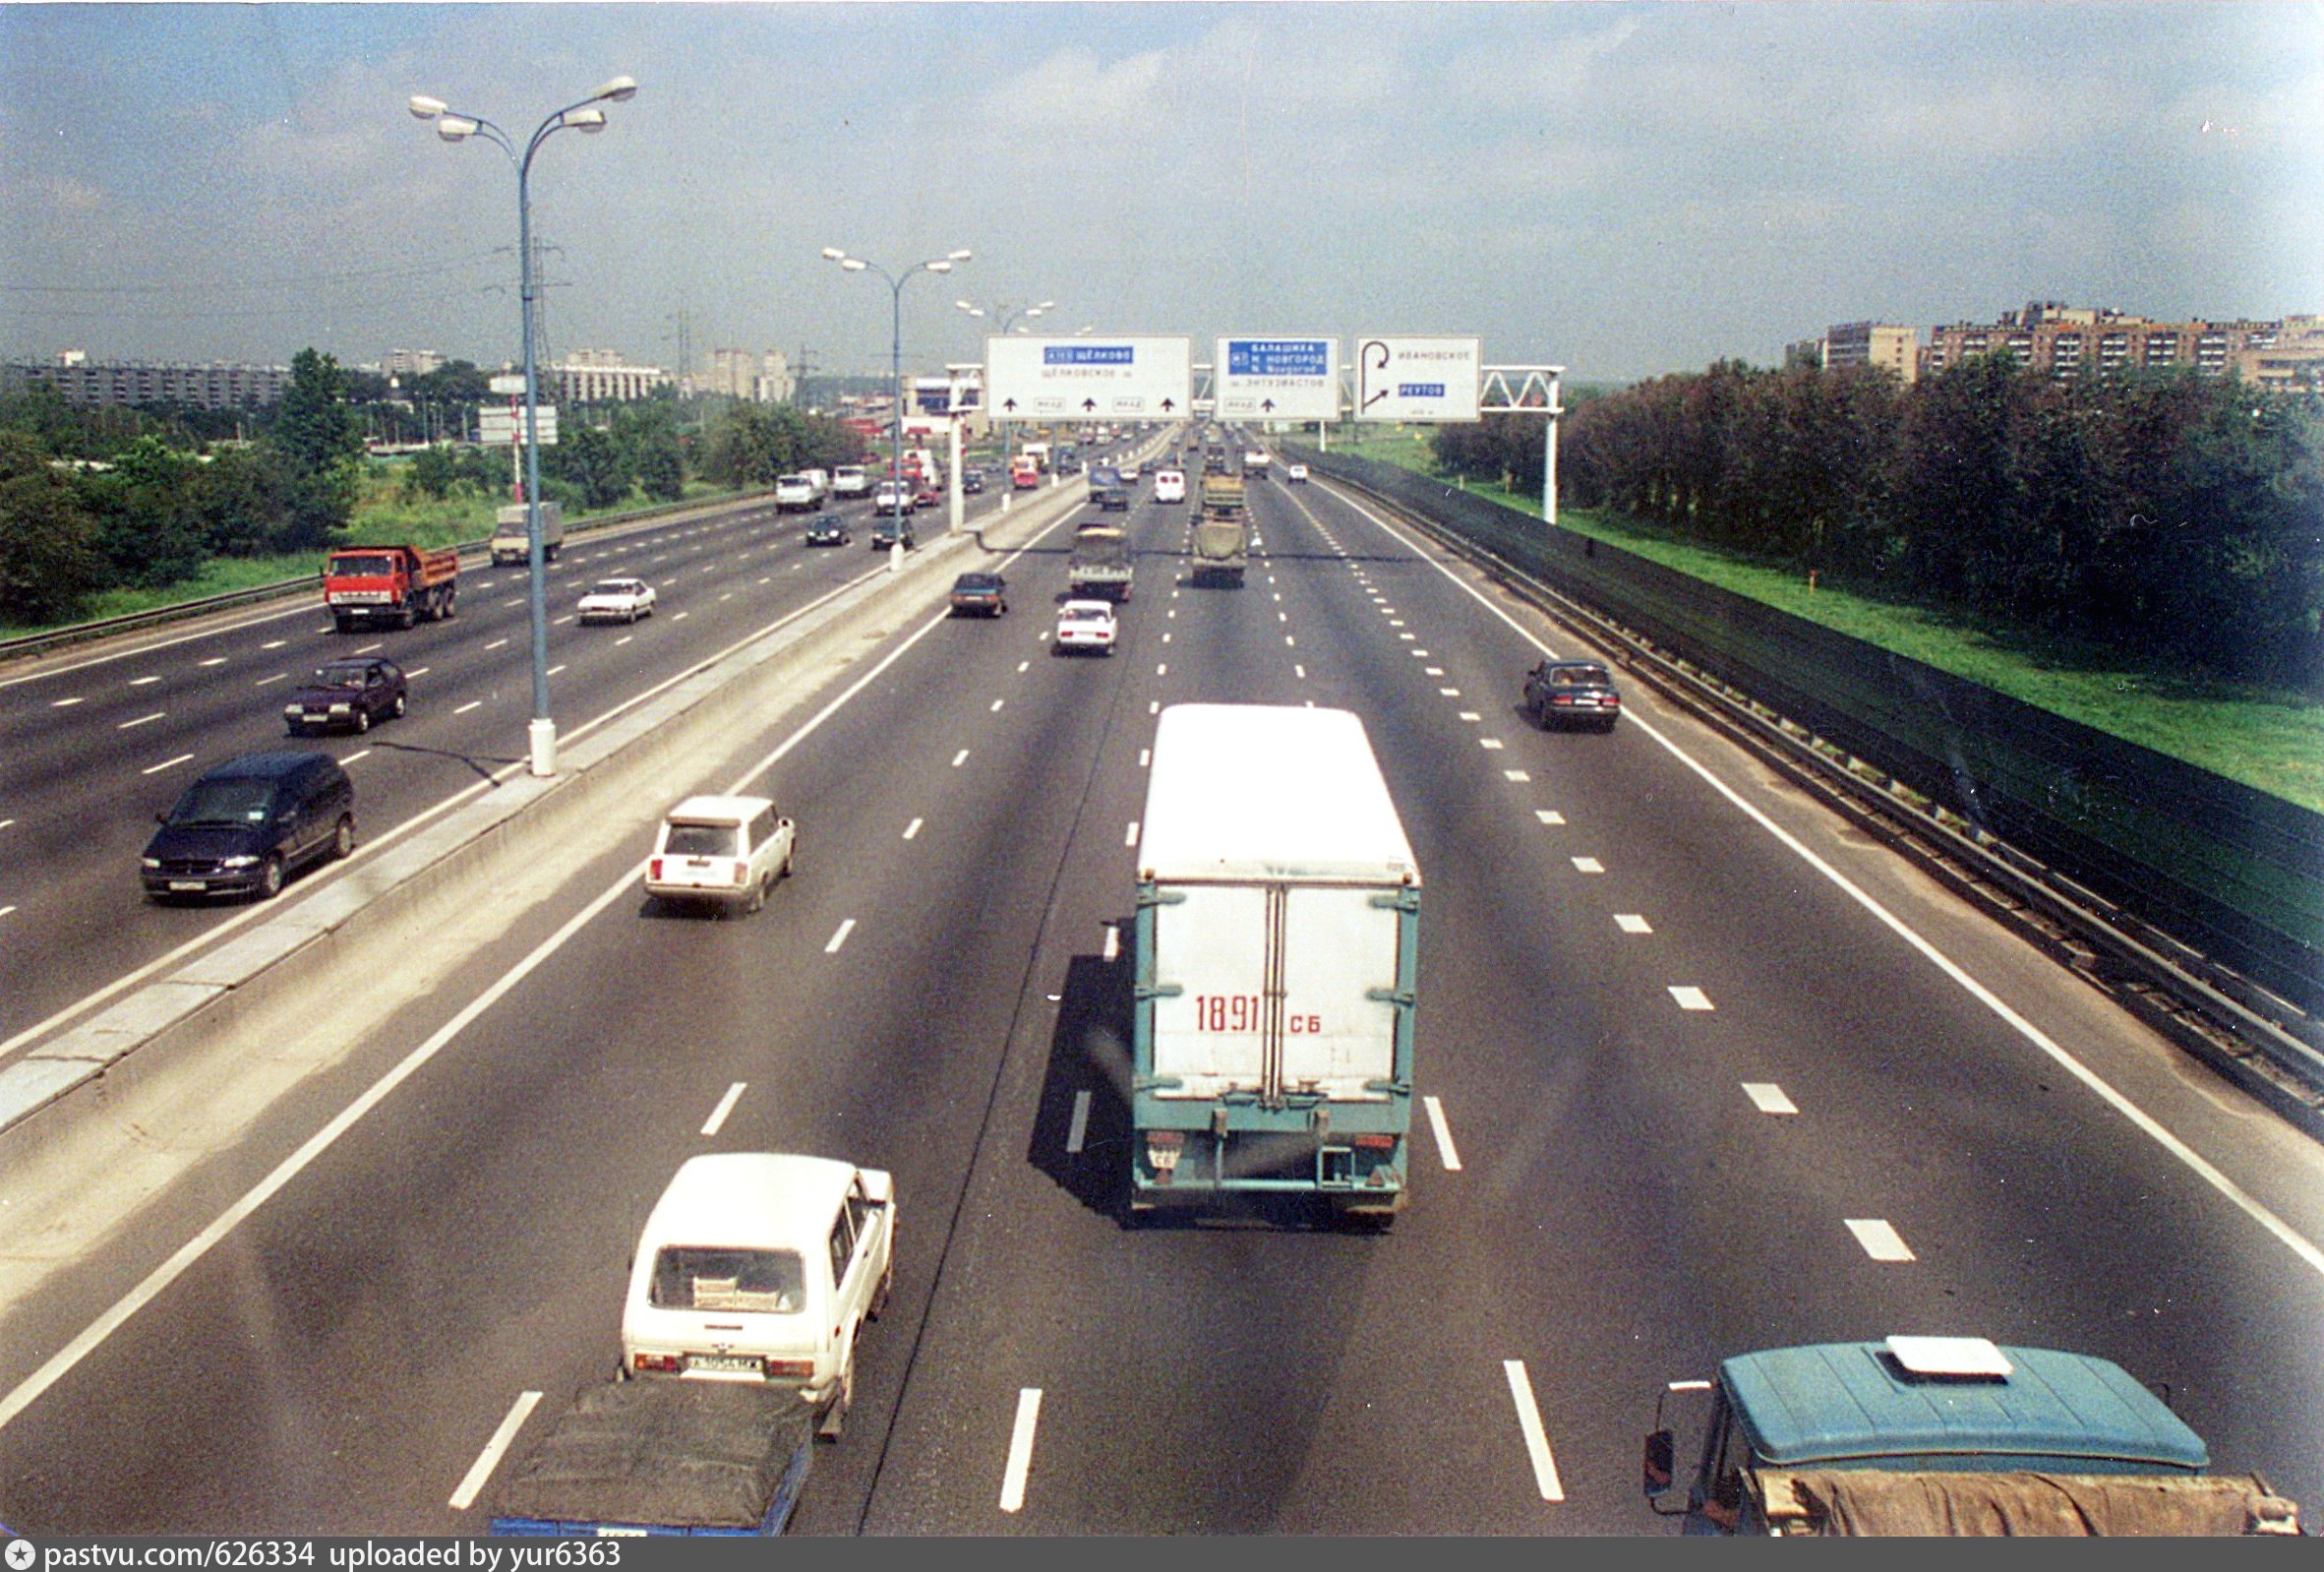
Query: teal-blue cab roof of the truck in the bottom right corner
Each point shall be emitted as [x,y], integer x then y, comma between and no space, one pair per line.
[1853,1401]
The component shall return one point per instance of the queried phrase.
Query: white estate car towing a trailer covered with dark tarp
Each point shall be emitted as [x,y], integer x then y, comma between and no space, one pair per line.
[763,1269]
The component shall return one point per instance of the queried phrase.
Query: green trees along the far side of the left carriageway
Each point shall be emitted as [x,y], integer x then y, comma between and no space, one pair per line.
[145,499]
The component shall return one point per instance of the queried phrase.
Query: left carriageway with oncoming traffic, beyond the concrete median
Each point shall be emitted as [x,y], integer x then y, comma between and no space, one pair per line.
[99,741]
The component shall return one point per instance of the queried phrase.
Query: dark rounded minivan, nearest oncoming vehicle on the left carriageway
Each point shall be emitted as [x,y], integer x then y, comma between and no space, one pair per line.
[248,824]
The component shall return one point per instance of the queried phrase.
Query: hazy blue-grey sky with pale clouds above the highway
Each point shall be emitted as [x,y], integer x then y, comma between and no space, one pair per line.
[1623,190]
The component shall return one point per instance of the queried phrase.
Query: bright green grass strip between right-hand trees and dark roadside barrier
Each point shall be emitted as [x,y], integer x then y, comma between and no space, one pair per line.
[2265,738]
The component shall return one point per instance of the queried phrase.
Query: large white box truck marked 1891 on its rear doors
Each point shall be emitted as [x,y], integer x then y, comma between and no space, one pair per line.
[1277,952]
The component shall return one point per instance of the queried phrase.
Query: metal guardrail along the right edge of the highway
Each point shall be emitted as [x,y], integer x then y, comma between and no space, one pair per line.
[2253,1036]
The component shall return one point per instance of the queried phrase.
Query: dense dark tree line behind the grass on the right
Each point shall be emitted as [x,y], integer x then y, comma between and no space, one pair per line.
[2169,515]
